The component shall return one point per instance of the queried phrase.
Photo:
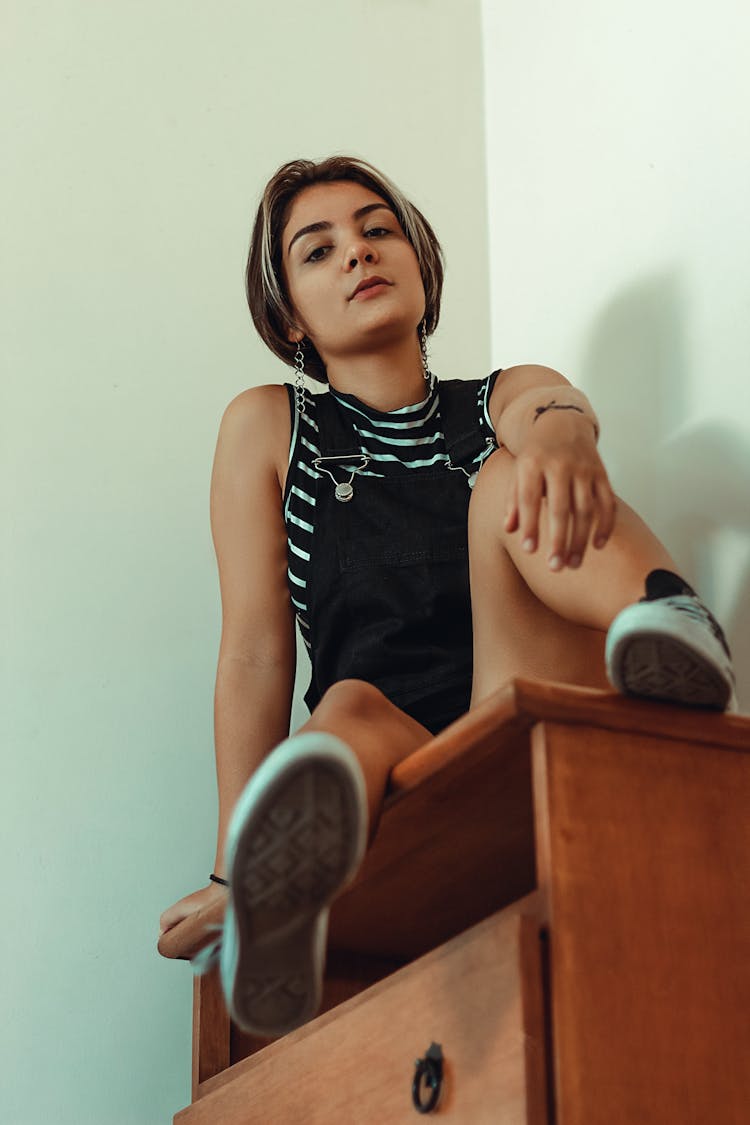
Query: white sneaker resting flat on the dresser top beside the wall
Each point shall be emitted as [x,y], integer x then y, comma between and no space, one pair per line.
[672,649]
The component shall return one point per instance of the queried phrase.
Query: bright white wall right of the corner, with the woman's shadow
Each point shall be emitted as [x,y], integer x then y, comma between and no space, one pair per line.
[619,179]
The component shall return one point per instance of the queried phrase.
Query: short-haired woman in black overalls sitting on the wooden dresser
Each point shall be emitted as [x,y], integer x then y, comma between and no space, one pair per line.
[432,541]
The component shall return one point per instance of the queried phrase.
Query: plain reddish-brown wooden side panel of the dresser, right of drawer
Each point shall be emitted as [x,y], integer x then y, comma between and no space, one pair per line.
[645,868]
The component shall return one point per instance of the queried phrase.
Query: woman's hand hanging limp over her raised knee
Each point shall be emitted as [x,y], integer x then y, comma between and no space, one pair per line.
[558,472]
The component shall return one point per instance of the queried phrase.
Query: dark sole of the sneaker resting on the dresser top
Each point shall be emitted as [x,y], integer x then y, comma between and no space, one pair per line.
[662,668]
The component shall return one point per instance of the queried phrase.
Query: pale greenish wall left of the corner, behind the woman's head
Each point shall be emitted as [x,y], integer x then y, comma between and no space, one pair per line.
[138,136]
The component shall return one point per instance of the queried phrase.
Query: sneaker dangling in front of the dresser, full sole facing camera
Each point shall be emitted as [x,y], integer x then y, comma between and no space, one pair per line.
[296,839]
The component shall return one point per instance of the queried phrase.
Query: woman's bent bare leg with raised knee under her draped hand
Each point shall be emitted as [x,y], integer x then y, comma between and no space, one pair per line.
[532,622]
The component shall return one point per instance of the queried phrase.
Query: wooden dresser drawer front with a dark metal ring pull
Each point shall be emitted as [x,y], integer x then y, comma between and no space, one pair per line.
[480,997]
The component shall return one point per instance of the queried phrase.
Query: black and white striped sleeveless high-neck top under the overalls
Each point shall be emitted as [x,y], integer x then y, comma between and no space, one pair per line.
[409,438]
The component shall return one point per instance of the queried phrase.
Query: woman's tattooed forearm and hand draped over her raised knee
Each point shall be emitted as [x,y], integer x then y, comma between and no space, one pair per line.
[552,430]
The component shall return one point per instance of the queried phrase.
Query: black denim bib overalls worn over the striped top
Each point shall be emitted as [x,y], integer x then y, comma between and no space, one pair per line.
[388,579]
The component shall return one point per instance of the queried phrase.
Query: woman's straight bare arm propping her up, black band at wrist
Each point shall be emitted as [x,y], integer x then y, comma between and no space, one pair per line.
[257,662]
